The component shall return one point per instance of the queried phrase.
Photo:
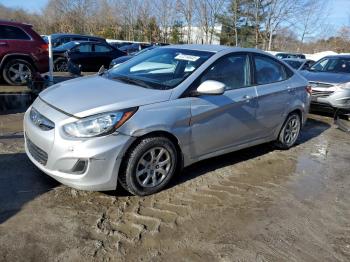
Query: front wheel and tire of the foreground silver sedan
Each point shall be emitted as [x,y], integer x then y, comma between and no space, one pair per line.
[143,174]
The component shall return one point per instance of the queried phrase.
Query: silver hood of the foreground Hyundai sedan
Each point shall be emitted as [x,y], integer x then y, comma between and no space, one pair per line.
[91,95]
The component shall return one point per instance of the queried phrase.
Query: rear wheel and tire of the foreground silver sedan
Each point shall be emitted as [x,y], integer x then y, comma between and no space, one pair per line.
[290,132]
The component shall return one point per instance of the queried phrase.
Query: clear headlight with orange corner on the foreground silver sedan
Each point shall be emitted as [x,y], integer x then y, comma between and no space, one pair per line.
[98,125]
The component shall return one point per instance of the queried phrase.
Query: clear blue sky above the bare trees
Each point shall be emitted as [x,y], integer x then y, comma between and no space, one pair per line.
[339,10]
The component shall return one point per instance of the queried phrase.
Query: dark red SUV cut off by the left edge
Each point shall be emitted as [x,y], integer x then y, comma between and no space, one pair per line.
[22,52]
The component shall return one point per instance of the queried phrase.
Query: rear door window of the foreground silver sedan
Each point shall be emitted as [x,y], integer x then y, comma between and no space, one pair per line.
[268,70]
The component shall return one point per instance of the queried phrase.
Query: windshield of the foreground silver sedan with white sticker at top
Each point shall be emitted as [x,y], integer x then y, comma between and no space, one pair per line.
[160,68]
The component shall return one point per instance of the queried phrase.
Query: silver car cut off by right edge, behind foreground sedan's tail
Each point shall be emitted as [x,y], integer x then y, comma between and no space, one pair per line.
[330,80]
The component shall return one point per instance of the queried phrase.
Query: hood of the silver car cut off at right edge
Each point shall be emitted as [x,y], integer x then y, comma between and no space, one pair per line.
[324,77]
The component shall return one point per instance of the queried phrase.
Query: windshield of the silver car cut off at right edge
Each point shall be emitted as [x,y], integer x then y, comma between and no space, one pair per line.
[333,65]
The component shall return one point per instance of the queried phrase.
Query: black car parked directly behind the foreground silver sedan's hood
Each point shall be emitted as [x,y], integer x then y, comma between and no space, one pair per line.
[90,56]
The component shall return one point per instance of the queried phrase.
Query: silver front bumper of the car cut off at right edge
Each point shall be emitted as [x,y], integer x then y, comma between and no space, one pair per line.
[337,99]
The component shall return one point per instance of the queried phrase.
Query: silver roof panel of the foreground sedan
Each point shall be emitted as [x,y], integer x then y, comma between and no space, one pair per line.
[215,48]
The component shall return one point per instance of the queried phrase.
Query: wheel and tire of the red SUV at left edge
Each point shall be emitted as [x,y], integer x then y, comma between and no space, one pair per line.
[16,71]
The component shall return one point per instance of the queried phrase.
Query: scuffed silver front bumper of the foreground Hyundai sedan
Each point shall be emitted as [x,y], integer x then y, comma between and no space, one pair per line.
[101,155]
